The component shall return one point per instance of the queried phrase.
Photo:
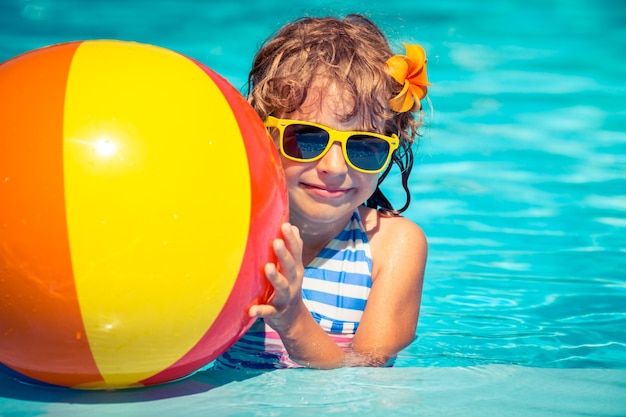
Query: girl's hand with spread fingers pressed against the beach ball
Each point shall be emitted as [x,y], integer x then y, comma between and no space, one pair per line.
[286,277]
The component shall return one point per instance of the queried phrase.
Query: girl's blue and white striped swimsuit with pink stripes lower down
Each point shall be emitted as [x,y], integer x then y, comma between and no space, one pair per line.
[335,288]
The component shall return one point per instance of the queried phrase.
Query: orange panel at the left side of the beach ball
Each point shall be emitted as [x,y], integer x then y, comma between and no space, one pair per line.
[40,322]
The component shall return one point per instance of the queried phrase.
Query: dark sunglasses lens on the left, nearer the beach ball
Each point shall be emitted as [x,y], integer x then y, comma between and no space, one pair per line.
[304,142]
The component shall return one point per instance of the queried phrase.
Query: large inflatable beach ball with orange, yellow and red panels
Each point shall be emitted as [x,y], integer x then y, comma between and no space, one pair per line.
[139,196]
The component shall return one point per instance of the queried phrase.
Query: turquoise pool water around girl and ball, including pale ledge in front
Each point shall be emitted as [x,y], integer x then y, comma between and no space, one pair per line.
[520,184]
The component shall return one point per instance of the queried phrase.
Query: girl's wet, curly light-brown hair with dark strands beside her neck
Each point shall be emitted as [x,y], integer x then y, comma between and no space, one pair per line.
[350,53]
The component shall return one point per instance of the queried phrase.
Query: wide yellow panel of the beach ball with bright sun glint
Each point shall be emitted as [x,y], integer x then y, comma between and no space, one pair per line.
[149,172]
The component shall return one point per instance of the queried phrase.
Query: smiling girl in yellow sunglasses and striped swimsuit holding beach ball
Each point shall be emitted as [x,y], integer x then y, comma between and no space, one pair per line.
[348,283]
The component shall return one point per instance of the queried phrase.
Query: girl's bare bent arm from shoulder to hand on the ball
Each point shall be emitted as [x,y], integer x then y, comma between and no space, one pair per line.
[392,310]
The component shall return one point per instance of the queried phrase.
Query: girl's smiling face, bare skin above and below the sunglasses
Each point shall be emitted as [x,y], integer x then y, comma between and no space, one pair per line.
[326,190]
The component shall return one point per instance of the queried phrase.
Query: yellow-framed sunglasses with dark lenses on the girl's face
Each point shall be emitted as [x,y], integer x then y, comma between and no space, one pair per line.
[307,142]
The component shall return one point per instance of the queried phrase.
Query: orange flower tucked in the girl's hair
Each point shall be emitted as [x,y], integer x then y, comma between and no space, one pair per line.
[410,71]
